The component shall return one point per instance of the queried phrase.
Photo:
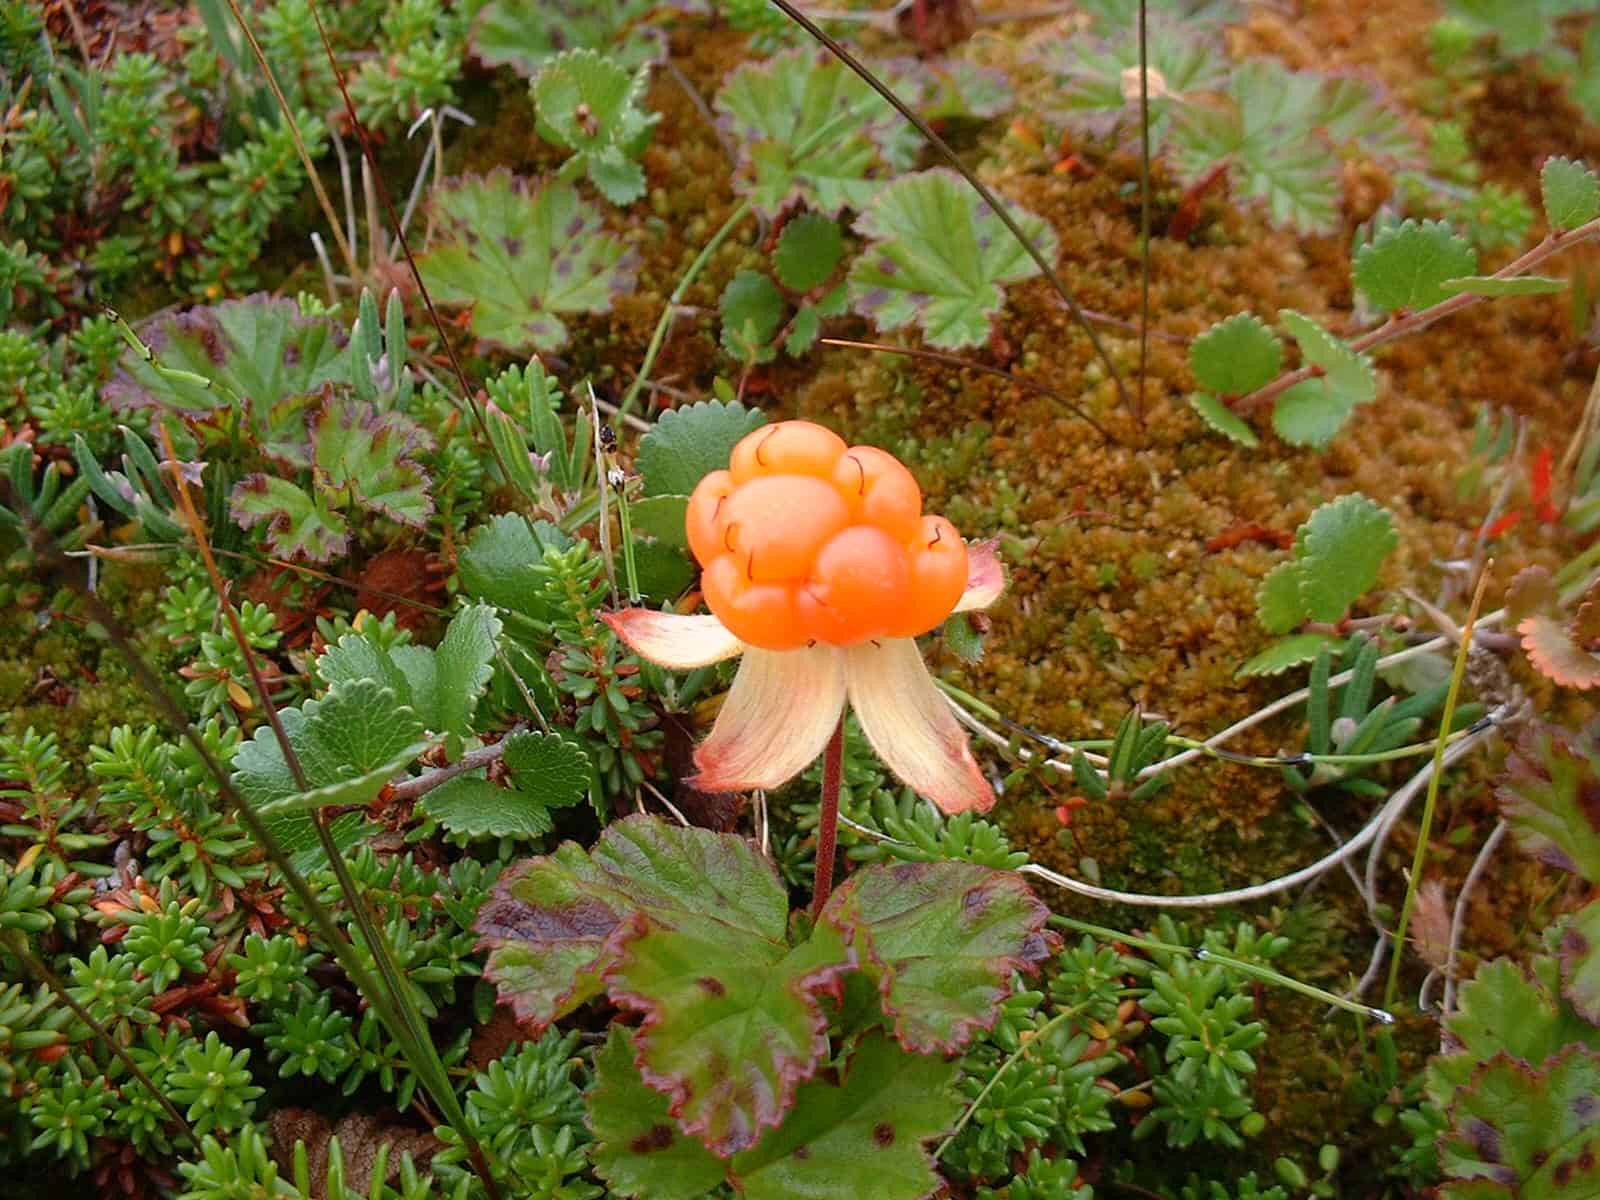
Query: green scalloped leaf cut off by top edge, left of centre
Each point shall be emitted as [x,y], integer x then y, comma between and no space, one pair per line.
[526,34]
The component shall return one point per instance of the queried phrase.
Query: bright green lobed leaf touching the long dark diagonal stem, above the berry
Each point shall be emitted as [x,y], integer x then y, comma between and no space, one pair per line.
[938,258]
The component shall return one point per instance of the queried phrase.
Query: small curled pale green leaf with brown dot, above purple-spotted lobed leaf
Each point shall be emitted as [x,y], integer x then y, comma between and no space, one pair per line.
[594,108]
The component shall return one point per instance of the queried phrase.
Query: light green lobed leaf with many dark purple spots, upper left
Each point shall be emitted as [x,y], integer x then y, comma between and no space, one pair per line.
[522,255]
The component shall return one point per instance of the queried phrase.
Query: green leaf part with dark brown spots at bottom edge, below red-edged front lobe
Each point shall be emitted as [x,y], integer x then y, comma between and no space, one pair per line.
[641,1150]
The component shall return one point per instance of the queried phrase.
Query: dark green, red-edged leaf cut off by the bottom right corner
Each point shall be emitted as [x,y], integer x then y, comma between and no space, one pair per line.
[1522,1132]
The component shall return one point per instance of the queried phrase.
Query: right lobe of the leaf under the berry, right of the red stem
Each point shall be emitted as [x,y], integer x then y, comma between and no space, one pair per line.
[943,943]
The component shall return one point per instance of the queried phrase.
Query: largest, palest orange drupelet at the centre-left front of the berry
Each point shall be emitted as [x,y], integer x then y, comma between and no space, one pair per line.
[777,524]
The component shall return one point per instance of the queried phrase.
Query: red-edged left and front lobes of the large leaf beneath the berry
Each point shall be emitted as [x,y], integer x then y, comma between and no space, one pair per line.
[689,929]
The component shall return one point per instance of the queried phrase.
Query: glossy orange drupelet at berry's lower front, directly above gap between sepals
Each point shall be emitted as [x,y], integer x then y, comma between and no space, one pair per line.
[857,586]
